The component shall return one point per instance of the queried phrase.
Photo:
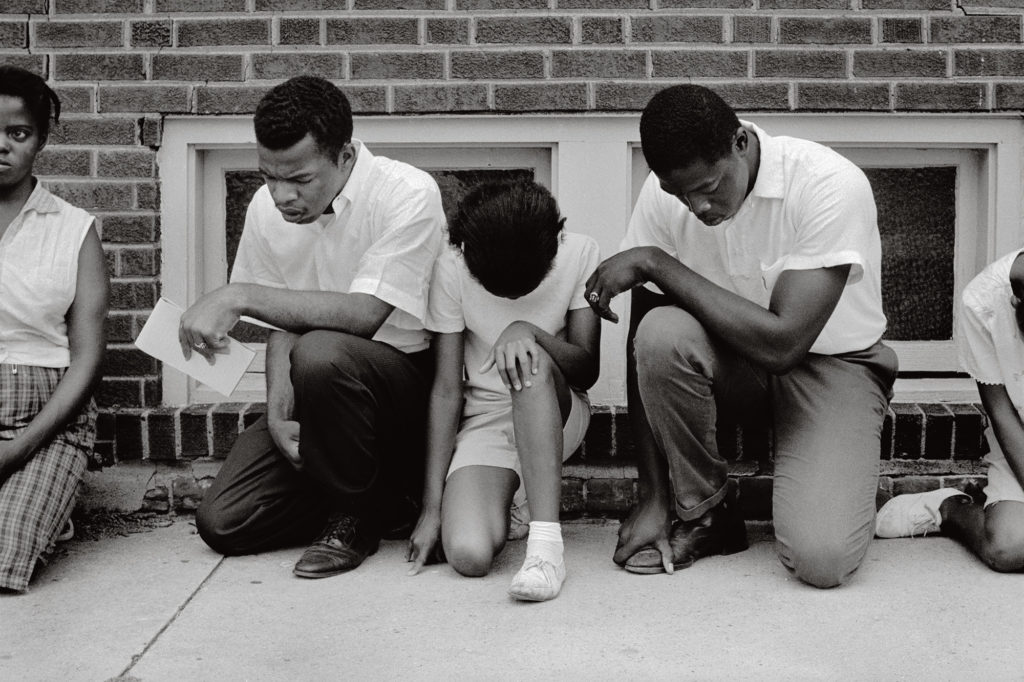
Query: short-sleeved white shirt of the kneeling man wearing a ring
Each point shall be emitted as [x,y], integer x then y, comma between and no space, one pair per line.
[809,208]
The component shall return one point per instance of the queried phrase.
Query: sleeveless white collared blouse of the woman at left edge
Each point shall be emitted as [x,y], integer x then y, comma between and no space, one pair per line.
[38,279]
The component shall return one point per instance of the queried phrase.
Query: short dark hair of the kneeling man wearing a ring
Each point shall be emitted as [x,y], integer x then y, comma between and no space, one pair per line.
[686,123]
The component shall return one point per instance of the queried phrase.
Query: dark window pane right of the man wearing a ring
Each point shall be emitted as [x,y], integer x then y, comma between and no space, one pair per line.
[917,219]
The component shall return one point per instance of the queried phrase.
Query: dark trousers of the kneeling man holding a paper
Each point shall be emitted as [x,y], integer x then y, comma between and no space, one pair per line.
[362,411]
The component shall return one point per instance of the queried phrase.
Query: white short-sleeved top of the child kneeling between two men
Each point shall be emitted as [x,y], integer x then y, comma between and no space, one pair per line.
[460,304]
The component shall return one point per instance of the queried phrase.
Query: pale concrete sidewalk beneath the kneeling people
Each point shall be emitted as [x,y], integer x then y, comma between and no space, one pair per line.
[160,606]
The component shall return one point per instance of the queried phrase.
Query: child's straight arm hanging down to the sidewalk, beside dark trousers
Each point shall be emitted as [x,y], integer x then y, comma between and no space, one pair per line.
[444,414]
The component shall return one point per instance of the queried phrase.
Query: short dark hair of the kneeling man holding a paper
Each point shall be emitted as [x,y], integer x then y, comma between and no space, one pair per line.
[301,106]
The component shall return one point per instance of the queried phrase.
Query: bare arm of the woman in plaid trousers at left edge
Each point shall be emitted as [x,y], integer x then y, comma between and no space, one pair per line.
[88,344]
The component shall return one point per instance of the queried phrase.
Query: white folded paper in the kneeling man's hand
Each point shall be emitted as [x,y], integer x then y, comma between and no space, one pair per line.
[160,339]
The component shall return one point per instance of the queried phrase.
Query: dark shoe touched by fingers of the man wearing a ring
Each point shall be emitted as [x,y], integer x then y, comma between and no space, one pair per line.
[719,531]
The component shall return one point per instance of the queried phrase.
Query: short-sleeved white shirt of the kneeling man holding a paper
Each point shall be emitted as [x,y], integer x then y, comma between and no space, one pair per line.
[382,240]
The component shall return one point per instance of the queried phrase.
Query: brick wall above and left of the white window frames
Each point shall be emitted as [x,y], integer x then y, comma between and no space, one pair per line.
[121,66]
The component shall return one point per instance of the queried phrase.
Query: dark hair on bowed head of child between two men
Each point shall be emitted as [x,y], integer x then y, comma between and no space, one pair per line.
[509,235]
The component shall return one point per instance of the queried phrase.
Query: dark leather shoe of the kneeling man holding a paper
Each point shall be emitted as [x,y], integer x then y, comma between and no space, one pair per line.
[346,543]
